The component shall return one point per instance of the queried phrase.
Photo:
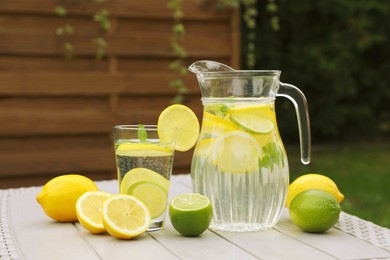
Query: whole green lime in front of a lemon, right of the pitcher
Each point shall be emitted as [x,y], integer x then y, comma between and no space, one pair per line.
[314,210]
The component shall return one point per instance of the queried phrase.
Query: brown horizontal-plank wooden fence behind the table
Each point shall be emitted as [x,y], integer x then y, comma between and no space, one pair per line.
[56,115]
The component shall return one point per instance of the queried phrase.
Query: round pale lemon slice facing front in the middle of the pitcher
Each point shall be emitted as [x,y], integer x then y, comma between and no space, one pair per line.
[236,152]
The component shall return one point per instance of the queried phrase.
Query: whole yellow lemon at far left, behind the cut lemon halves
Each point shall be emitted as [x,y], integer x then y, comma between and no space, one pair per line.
[58,196]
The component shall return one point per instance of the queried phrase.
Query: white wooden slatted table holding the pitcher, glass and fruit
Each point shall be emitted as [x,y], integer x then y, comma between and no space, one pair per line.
[27,233]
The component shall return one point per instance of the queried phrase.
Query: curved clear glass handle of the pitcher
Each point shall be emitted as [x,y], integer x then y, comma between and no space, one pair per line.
[297,97]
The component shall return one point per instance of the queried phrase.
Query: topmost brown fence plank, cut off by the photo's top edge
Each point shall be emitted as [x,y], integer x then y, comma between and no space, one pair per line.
[193,9]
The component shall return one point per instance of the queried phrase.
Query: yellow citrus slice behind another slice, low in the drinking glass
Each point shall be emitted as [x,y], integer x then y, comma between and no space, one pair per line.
[142,174]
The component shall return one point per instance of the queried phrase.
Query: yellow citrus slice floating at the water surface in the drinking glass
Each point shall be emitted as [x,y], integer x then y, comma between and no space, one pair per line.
[138,149]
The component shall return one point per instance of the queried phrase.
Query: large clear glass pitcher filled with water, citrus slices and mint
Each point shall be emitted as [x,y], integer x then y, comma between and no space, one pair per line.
[239,161]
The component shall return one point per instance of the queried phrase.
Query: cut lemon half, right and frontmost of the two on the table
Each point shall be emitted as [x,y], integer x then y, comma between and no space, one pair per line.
[125,216]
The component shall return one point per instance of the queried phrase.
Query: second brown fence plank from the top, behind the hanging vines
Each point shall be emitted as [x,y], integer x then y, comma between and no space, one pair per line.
[30,35]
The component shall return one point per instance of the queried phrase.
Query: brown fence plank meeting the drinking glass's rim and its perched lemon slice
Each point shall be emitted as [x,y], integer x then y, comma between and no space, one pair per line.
[28,117]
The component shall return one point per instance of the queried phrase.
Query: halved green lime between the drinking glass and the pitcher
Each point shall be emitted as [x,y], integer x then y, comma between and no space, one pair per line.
[190,214]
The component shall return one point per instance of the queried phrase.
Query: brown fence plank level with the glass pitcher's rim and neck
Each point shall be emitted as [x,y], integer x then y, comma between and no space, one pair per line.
[91,84]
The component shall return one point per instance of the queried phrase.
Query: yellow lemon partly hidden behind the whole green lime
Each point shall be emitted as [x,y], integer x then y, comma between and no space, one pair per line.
[313,181]
